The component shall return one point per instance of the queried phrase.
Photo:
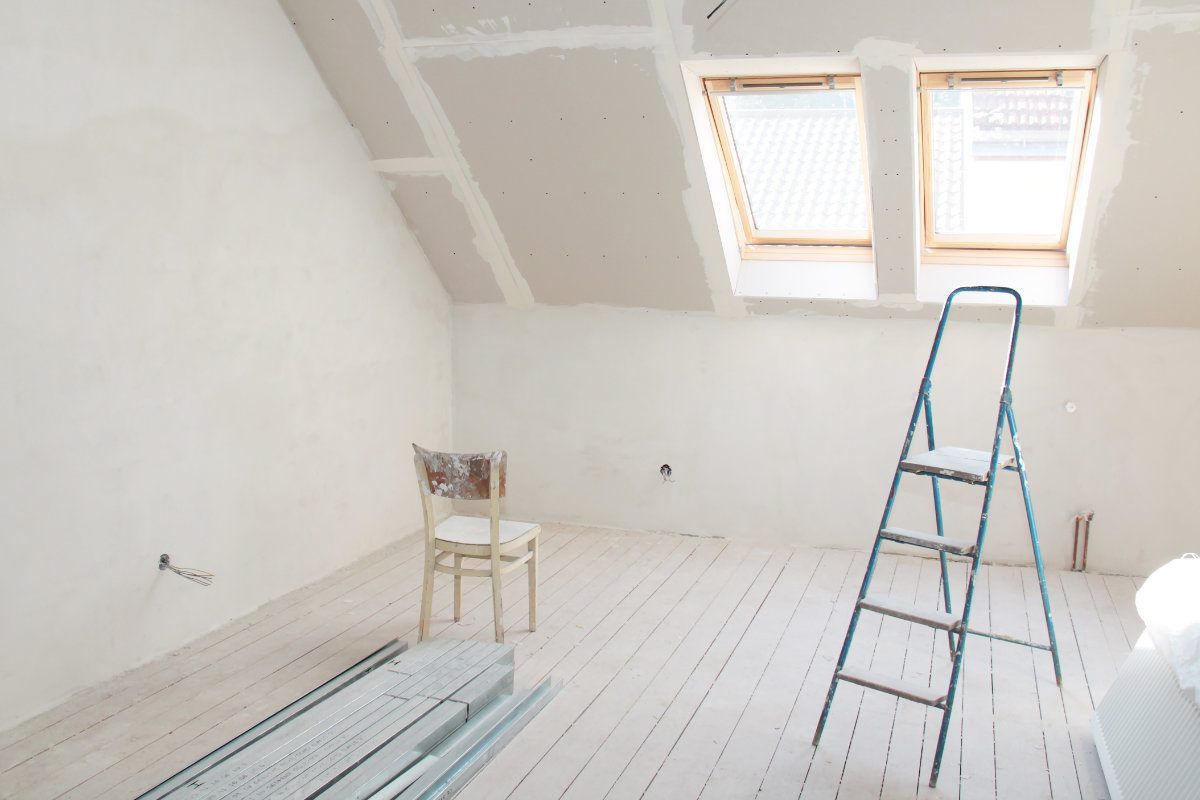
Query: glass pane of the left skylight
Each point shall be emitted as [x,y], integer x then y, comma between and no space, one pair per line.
[801,159]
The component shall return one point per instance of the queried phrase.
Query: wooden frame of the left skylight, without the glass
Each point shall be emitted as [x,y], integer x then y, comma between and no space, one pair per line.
[754,243]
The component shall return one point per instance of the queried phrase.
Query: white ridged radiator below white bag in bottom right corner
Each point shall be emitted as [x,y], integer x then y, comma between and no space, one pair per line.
[1148,731]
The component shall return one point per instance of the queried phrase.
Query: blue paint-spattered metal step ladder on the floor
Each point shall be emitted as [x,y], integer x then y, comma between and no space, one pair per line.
[973,467]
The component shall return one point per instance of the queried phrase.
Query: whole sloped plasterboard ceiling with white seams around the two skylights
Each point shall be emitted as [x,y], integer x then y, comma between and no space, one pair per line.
[543,151]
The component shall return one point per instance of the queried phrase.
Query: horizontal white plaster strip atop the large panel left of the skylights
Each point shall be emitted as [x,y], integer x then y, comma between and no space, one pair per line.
[476,45]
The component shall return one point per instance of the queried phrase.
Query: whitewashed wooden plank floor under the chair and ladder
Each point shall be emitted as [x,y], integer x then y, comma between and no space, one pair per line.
[692,669]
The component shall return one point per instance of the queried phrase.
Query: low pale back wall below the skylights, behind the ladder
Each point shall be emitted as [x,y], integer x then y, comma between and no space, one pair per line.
[788,429]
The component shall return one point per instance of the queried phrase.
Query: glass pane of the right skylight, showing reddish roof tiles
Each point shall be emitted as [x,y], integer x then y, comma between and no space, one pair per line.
[1003,160]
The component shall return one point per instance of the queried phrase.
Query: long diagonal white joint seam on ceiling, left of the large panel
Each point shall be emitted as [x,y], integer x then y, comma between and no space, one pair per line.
[443,145]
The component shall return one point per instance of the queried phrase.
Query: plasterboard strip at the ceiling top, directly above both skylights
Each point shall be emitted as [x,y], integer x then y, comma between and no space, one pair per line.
[770,27]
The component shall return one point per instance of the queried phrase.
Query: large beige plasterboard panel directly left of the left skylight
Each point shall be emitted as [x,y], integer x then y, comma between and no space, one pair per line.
[583,166]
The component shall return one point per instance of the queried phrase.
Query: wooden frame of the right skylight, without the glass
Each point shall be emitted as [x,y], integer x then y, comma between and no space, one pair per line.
[1007,249]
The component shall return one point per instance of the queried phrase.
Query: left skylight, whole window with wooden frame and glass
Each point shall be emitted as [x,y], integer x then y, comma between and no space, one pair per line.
[794,158]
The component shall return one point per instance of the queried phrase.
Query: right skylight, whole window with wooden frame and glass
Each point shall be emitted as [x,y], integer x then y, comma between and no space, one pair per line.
[1001,155]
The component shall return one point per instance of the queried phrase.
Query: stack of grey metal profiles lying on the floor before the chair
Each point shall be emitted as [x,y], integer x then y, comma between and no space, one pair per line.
[400,725]
